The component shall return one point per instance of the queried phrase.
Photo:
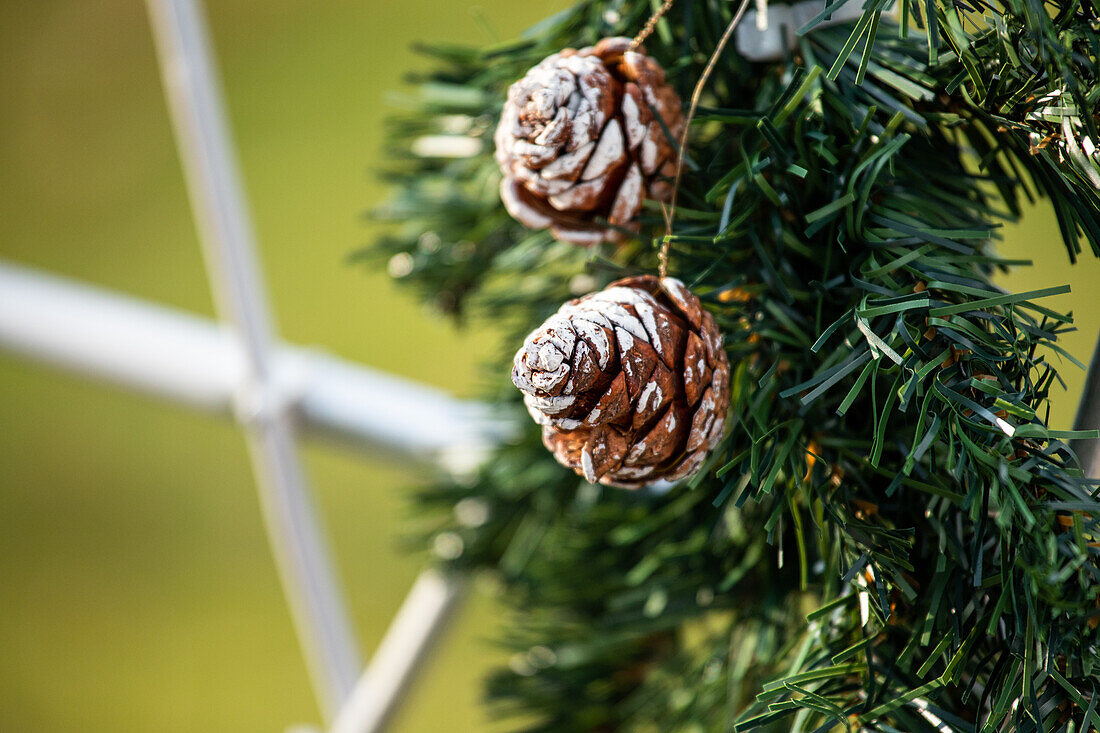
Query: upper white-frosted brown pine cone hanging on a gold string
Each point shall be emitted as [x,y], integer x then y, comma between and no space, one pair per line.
[581,146]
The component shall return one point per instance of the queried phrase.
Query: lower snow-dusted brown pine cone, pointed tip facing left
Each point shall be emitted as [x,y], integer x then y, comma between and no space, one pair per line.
[631,385]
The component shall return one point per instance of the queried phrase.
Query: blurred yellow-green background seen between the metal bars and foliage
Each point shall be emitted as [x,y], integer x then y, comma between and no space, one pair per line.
[137,592]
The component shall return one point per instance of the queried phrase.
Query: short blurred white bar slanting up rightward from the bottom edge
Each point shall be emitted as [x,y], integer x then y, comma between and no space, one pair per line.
[422,619]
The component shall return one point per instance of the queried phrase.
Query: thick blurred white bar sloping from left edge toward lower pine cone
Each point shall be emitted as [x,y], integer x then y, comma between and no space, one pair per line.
[195,362]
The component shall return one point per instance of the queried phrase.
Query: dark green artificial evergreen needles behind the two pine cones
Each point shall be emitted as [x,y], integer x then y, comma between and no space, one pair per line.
[890,538]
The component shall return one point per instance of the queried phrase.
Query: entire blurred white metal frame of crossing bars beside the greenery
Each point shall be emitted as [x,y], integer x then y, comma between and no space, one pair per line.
[240,368]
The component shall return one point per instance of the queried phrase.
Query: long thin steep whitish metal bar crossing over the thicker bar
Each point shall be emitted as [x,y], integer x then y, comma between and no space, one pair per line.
[226,233]
